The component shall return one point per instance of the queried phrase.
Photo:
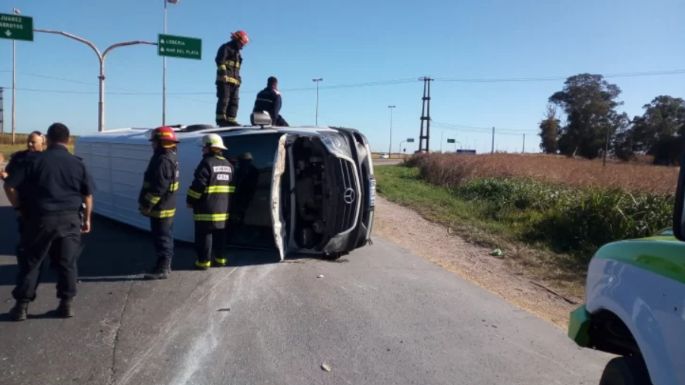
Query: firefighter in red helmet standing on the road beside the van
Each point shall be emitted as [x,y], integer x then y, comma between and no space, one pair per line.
[157,199]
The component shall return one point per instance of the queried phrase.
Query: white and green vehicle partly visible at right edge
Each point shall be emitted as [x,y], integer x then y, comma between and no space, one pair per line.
[635,306]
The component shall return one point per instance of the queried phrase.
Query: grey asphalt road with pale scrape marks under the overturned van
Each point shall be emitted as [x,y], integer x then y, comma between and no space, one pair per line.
[379,316]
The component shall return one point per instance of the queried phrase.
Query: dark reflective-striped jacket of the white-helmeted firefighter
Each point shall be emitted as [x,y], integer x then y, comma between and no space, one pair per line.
[208,195]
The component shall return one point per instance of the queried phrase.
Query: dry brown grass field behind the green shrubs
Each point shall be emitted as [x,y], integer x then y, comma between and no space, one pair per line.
[454,169]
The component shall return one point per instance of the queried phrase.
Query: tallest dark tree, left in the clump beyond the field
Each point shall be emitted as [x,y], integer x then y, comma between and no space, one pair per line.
[589,103]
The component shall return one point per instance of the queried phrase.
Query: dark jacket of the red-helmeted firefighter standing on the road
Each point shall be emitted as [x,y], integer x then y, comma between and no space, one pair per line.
[157,198]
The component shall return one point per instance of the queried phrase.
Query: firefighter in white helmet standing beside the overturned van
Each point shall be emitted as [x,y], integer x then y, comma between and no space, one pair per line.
[208,197]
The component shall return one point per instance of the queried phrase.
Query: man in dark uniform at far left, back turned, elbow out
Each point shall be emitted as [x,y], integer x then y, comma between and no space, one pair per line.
[60,185]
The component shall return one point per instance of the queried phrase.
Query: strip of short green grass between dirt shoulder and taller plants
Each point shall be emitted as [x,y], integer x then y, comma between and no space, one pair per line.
[472,220]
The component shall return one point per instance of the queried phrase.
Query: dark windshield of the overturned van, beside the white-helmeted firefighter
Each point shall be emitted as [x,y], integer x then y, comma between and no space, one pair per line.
[252,157]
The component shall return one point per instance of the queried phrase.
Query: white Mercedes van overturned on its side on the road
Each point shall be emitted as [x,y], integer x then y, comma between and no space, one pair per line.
[300,190]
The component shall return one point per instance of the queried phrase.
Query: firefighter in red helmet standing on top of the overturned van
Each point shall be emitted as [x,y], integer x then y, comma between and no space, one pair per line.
[228,61]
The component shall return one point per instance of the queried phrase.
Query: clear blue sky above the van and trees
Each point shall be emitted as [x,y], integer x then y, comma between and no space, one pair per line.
[349,44]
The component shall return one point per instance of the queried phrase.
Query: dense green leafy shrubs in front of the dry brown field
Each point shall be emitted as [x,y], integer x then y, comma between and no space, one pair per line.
[576,221]
